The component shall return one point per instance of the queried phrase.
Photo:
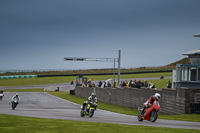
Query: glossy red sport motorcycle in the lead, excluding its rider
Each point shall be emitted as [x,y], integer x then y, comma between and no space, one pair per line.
[151,113]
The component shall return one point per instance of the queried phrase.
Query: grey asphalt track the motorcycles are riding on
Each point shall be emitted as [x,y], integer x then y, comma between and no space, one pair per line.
[43,105]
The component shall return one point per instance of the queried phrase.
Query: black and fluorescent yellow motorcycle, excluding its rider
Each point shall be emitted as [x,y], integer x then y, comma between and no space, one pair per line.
[91,106]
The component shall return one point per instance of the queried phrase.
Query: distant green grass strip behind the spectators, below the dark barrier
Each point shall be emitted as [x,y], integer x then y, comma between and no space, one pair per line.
[67,79]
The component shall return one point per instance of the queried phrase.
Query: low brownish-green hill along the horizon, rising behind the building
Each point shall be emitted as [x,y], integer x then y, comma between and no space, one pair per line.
[98,71]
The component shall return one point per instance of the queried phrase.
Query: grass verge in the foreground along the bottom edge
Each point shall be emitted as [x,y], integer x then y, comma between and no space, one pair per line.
[20,124]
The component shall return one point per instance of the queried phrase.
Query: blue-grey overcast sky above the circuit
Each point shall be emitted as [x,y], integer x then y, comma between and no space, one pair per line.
[38,34]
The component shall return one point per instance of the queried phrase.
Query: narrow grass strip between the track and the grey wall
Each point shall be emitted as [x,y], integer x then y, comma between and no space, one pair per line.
[125,110]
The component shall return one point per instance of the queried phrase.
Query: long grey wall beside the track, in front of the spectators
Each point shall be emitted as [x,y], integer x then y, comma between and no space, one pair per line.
[173,101]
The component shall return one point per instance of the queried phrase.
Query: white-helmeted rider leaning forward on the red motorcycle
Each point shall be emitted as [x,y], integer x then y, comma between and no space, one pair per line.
[150,101]
